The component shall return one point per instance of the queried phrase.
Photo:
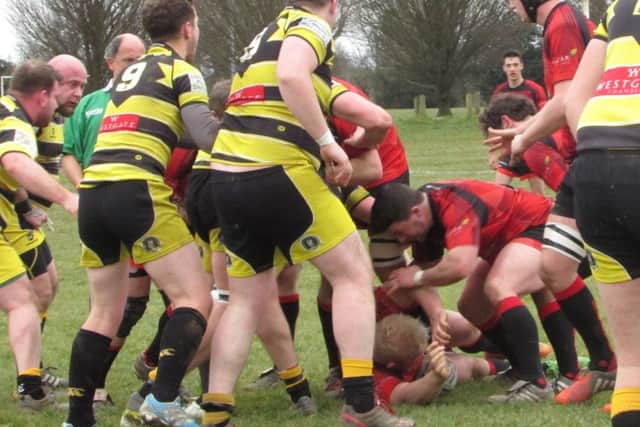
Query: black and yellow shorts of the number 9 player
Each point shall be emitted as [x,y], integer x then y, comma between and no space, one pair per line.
[129,218]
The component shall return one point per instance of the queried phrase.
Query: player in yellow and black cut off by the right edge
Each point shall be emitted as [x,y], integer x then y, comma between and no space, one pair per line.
[602,113]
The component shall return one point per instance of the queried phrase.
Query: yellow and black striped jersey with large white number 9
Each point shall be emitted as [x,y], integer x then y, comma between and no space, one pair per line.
[142,121]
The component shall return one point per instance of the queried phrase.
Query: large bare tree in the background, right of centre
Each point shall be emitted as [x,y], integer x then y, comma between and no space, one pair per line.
[430,44]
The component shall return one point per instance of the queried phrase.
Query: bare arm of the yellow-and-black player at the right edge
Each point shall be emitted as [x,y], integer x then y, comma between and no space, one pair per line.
[585,81]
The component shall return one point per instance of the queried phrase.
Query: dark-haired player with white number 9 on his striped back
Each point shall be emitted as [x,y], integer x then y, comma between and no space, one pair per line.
[127,211]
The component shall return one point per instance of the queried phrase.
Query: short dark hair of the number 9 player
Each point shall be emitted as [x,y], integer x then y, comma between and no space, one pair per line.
[162,19]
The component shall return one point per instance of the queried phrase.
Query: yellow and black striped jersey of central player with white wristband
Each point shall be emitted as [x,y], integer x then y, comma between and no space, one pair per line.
[258,128]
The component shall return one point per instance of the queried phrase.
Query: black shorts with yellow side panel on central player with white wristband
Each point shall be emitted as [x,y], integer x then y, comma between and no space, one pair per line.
[276,216]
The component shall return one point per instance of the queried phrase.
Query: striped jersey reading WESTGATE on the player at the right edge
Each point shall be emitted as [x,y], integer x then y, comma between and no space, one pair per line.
[611,118]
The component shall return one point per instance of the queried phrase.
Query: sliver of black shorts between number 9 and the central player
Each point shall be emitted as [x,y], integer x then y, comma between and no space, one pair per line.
[200,207]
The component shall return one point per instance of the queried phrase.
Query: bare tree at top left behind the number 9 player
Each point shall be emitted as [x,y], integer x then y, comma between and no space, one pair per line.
[78,27]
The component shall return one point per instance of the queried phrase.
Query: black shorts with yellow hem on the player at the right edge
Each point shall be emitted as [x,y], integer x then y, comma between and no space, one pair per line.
[607,184]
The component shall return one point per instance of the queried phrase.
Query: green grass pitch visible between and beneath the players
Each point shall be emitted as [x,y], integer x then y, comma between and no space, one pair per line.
[437,149]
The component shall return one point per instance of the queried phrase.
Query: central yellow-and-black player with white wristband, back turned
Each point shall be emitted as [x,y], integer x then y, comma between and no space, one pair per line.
[272,141]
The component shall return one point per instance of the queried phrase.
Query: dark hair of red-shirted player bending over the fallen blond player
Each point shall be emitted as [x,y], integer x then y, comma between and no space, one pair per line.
[393,204]
